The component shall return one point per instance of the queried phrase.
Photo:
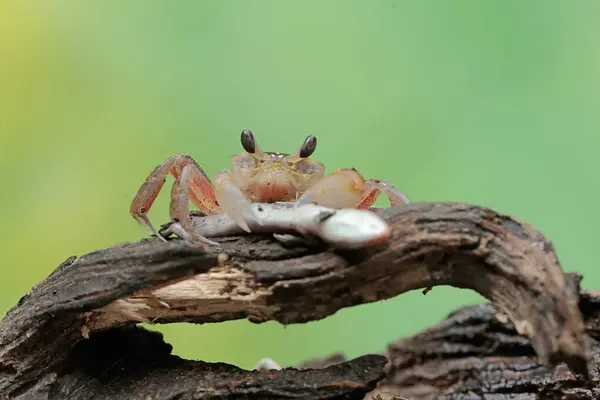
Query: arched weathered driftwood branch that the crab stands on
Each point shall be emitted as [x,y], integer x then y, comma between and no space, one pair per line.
[255,277]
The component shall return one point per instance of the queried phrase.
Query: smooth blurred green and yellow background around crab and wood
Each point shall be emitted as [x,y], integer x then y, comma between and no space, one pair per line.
[486,102]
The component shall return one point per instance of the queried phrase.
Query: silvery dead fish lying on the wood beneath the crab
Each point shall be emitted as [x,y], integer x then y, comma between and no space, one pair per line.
[346,228]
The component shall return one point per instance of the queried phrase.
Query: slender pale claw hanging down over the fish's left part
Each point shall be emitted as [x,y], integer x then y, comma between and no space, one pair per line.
[233,202]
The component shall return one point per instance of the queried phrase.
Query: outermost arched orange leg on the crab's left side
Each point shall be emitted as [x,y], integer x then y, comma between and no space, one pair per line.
[202,193]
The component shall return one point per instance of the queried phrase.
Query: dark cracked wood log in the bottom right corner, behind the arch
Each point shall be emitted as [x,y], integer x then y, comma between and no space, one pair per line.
[477,354]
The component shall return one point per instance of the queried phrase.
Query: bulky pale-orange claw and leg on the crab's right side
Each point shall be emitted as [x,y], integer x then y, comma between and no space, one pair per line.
[346,188]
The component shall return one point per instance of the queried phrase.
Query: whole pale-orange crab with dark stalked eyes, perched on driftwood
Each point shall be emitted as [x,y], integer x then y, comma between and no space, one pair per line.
[257,176]
